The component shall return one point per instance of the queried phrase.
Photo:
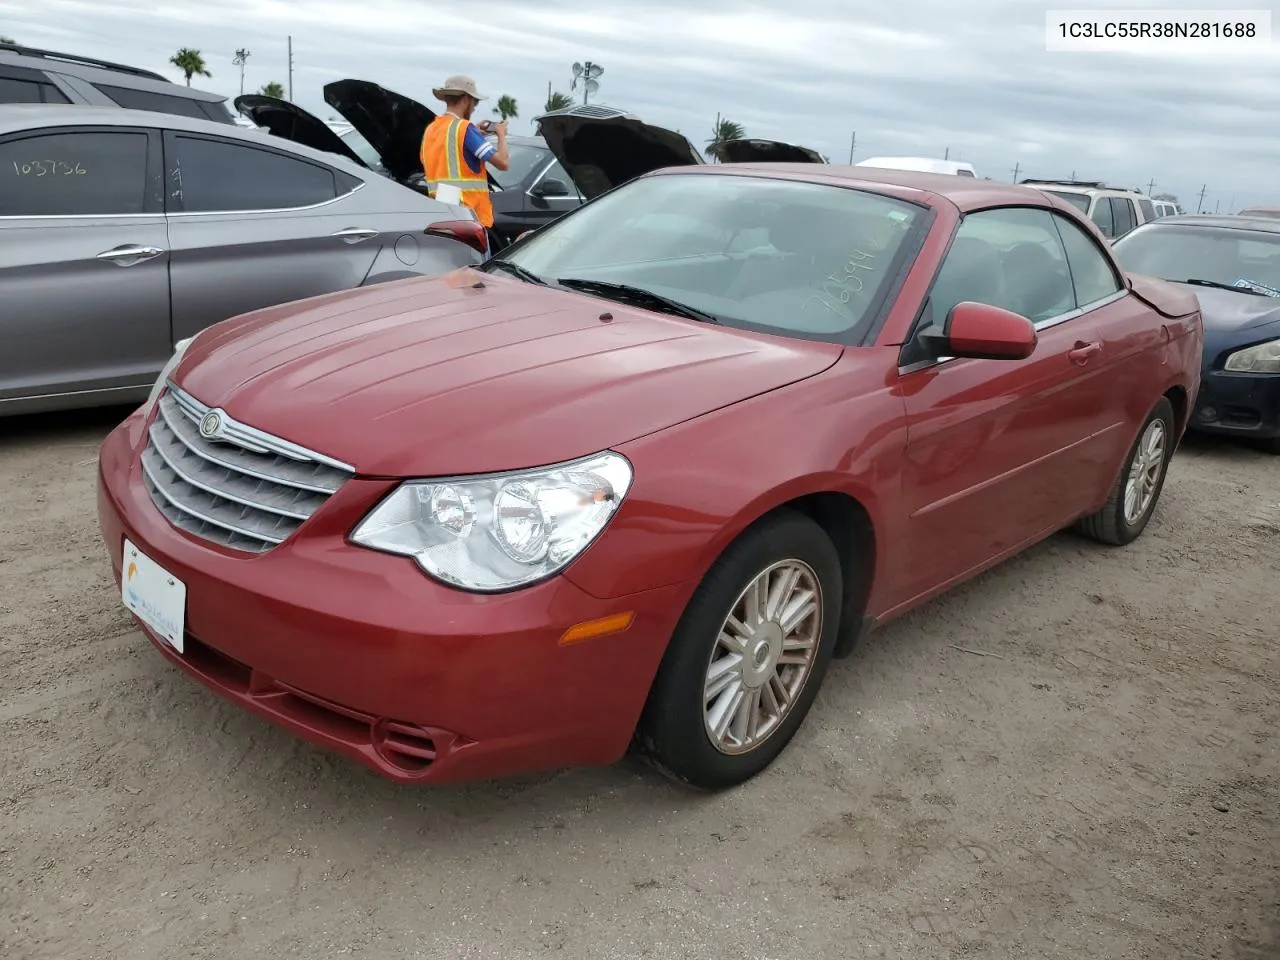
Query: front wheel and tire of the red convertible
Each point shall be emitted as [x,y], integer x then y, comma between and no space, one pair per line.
[675,733]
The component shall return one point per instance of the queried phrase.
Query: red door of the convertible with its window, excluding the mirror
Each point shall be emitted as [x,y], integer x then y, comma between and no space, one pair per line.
[999,452]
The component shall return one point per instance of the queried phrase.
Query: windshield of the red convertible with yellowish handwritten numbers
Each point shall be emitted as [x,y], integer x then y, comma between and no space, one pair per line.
[779,257]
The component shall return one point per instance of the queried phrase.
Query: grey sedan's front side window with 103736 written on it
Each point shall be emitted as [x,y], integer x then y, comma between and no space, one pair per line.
[75,175]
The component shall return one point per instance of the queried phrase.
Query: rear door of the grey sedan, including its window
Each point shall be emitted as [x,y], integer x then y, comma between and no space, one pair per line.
[252,226]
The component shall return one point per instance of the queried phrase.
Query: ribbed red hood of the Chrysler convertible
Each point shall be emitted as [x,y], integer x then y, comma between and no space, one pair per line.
[473,373]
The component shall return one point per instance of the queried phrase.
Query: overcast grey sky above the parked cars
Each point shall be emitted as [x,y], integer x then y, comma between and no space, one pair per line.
[911,77]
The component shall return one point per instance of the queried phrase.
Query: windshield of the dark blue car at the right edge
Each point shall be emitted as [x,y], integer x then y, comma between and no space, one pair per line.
[1180,253]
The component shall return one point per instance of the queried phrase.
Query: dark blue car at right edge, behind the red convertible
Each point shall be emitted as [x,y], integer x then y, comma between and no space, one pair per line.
[1235,266]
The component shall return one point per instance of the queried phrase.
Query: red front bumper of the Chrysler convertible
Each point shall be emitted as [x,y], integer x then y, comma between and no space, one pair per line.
[362,653]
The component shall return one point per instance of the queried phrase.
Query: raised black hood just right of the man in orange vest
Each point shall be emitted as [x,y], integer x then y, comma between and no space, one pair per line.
[602,154]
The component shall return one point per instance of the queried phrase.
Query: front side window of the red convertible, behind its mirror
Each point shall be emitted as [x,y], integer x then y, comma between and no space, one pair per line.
[1011,258]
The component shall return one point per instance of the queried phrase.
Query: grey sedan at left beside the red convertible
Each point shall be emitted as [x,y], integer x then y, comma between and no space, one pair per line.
[124,232]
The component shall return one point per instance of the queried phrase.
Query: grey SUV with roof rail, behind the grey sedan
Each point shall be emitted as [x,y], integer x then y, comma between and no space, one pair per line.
[34,76]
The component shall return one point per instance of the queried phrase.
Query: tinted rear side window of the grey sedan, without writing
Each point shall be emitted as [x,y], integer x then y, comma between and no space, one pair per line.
[222,176]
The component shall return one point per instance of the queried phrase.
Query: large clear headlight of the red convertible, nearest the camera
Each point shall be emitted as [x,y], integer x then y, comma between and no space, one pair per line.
[500,532]
